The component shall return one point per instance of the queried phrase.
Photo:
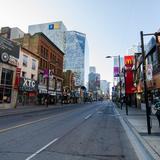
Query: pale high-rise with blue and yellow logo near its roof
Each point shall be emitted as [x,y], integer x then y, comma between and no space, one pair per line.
[55,31]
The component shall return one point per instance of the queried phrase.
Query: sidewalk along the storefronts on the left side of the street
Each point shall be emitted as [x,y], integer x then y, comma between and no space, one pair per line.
[30,109]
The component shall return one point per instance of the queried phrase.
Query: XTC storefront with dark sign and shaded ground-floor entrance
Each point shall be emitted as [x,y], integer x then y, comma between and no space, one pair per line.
[27,93]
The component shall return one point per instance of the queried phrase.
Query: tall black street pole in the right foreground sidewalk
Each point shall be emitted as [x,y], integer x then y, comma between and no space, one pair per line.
[148,111]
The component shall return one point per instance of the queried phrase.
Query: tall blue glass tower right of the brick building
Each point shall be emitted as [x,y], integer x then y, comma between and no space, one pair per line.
[76,56]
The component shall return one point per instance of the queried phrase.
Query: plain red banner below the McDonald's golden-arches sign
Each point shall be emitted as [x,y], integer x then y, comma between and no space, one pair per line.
[129,88]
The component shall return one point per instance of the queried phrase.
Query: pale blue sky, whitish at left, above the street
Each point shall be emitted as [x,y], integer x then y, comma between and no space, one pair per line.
[111,26]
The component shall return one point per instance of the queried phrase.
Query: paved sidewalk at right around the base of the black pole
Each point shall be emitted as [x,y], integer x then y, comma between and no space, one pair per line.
[137,120]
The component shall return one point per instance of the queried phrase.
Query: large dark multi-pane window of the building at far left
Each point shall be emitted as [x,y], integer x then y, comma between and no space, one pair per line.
[6,86]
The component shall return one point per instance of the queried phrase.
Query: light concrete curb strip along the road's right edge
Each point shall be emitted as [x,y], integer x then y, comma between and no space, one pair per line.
[141,147]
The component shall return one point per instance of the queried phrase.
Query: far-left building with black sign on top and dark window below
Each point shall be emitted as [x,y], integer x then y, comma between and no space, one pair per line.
[9,55]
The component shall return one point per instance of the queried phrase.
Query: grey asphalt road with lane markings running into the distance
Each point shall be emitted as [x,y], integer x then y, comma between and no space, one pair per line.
[79,132]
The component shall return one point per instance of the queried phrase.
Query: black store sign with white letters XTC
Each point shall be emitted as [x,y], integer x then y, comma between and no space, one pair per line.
[28,84]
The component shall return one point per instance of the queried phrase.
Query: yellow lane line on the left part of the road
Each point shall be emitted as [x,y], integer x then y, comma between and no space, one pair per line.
[24,124]
